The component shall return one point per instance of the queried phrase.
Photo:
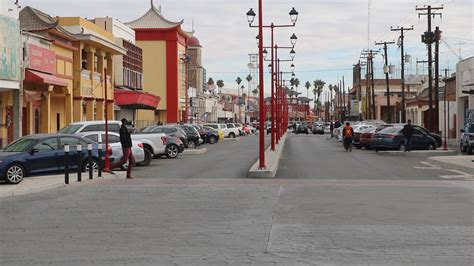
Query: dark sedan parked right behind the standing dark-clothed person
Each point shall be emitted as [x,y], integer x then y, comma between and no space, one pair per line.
[391,138]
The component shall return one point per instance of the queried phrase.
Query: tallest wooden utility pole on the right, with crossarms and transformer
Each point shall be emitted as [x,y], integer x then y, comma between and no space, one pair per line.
[428,38]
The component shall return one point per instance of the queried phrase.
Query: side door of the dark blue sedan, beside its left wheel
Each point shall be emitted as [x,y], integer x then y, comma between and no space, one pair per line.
[44,157]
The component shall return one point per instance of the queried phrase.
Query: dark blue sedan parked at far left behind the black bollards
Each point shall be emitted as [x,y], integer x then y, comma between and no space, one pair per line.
[42,153]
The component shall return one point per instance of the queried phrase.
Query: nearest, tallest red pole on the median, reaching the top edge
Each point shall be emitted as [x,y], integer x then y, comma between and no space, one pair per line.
[261,92]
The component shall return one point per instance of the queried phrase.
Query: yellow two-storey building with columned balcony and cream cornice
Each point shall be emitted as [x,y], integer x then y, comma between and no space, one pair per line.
[93,54]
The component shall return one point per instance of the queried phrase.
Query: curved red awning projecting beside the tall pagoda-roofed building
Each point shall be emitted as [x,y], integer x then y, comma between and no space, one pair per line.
[136,99]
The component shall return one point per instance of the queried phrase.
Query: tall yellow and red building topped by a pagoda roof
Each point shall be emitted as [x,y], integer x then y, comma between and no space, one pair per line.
[164,46]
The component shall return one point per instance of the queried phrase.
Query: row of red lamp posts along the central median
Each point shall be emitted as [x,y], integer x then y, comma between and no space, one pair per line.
[278,100]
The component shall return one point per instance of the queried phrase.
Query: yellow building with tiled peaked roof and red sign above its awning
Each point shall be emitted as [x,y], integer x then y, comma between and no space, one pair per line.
[48,81]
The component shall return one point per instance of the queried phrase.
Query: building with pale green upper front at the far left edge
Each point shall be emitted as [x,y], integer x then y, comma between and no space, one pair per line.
[10,72]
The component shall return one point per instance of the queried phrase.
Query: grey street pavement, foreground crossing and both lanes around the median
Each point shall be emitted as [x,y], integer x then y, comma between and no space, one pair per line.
[326,206]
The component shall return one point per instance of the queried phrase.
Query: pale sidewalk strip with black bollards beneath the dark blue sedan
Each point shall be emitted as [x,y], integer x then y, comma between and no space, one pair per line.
[35,184]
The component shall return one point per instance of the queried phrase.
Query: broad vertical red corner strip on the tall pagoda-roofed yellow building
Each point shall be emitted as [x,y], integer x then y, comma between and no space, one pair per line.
[172,98]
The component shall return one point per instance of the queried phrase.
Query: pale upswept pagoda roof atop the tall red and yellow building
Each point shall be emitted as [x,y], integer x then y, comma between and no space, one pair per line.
[153,19]
